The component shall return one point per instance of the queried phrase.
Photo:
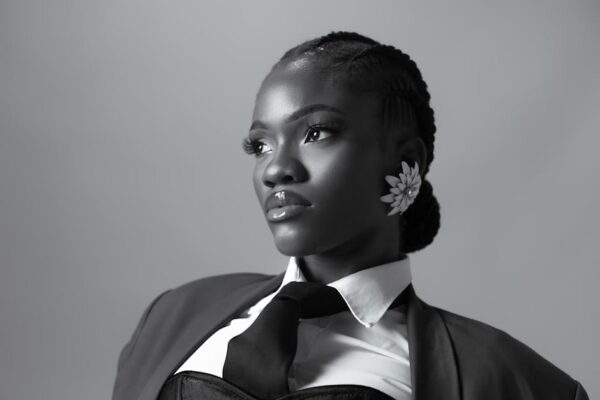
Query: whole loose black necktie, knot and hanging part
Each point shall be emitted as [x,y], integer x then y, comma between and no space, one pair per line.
[258,360]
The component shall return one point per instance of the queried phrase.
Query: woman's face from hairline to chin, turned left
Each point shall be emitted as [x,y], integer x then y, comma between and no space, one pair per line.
[317,156]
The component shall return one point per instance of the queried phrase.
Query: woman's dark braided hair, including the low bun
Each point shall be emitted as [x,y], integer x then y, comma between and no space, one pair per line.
[367,65]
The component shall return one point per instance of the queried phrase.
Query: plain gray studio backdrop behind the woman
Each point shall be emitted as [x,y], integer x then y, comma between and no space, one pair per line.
[121,171]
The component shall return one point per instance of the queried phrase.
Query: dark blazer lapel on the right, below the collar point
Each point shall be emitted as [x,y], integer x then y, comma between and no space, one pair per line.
[433,365]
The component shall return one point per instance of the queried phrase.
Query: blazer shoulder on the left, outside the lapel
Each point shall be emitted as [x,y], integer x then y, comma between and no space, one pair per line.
[170,315]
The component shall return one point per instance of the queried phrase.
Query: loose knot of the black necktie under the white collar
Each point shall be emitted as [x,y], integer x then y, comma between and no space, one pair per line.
[312,299]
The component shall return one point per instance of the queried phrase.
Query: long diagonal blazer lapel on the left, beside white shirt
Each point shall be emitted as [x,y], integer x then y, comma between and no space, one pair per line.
[202,326]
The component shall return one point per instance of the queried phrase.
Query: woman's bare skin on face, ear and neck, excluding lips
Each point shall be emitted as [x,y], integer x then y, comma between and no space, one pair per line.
[340,171]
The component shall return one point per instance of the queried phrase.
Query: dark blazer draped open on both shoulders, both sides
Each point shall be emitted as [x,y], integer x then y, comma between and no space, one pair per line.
[451,357]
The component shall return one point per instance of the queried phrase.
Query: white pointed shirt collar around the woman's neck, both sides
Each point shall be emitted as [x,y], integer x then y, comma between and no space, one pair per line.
[369,292]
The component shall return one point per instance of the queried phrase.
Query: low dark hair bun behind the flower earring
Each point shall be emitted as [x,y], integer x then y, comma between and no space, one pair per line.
[422,220]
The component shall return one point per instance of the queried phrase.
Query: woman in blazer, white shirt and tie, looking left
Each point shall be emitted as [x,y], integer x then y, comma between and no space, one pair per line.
[343,137]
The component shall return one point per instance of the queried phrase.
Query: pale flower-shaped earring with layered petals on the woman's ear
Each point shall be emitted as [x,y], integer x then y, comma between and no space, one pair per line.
[404,188]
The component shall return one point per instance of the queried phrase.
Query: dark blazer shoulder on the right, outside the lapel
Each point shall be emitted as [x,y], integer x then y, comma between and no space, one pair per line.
[486,351]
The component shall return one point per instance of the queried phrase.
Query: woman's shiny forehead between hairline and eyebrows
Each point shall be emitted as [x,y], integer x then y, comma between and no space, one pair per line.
[296,85]
